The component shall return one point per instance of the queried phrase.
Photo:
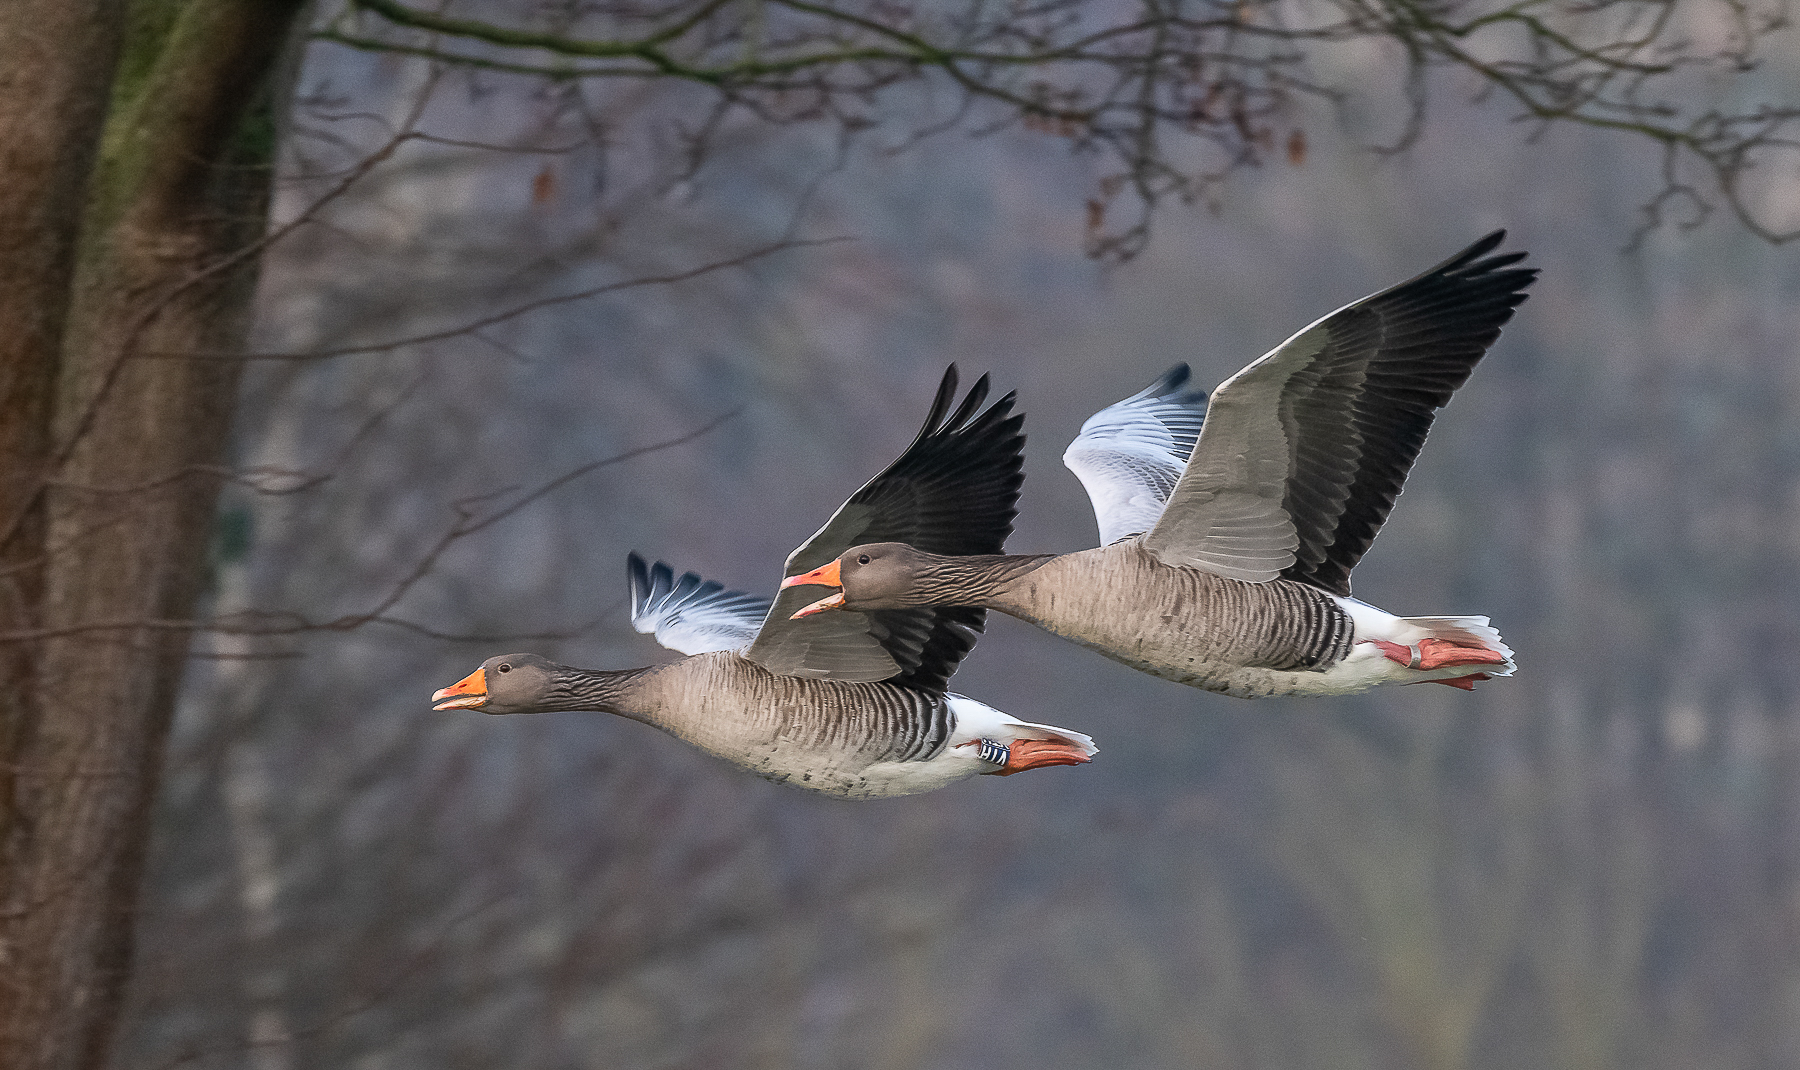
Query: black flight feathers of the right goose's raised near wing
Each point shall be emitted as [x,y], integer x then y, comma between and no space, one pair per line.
[1362,412]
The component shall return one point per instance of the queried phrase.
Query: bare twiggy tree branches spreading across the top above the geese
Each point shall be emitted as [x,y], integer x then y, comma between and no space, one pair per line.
[1176,96]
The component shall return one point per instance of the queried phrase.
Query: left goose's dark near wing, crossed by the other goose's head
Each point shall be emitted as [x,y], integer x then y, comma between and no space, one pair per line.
[955,491]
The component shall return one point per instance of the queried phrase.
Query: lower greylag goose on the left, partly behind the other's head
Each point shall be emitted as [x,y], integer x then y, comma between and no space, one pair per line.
[850,705]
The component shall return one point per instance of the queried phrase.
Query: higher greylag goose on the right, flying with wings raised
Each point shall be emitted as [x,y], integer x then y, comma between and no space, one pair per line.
[1232,527]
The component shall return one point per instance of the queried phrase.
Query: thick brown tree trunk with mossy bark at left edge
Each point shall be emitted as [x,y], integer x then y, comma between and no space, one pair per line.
[127,437]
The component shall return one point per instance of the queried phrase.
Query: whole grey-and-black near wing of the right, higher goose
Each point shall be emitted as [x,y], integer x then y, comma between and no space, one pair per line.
[1306,449]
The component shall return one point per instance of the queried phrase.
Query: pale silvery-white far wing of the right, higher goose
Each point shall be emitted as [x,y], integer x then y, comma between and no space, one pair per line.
[1129,455]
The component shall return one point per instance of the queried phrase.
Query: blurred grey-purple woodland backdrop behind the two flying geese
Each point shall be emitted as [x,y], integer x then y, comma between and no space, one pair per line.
[1590,866]
